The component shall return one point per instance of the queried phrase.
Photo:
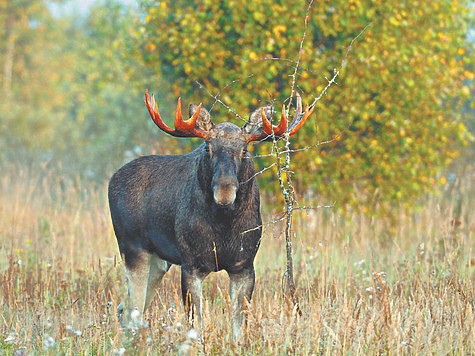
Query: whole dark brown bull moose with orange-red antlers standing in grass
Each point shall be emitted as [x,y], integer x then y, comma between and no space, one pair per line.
[198,210]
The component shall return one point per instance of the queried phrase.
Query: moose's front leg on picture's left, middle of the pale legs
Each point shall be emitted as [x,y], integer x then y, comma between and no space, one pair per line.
[192,290]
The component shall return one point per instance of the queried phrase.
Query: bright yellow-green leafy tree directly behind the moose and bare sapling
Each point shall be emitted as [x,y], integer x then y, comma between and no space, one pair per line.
[395,114]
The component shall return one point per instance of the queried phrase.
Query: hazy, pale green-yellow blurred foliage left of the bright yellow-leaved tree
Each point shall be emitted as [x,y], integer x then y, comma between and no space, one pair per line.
[74,95]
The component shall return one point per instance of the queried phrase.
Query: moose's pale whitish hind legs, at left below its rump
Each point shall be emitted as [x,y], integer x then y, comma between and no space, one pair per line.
[143,279]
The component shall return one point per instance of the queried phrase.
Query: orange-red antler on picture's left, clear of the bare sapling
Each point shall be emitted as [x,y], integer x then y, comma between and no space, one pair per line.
[182,128]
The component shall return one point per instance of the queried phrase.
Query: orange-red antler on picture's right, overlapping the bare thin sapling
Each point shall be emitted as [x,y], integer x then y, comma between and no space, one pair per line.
[278,131]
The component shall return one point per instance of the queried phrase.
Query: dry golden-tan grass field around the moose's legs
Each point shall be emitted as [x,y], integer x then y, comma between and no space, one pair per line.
[365,287]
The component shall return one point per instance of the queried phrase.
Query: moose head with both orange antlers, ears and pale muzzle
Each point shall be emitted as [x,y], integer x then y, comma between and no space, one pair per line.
[226,144]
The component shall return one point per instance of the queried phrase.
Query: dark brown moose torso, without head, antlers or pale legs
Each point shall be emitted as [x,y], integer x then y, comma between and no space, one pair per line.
[164,205]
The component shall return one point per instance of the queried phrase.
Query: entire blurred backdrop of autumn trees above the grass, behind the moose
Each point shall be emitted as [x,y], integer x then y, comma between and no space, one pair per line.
[73,75]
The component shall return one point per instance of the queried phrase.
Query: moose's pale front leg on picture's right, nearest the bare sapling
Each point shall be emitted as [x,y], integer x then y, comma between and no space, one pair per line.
[241,286]
